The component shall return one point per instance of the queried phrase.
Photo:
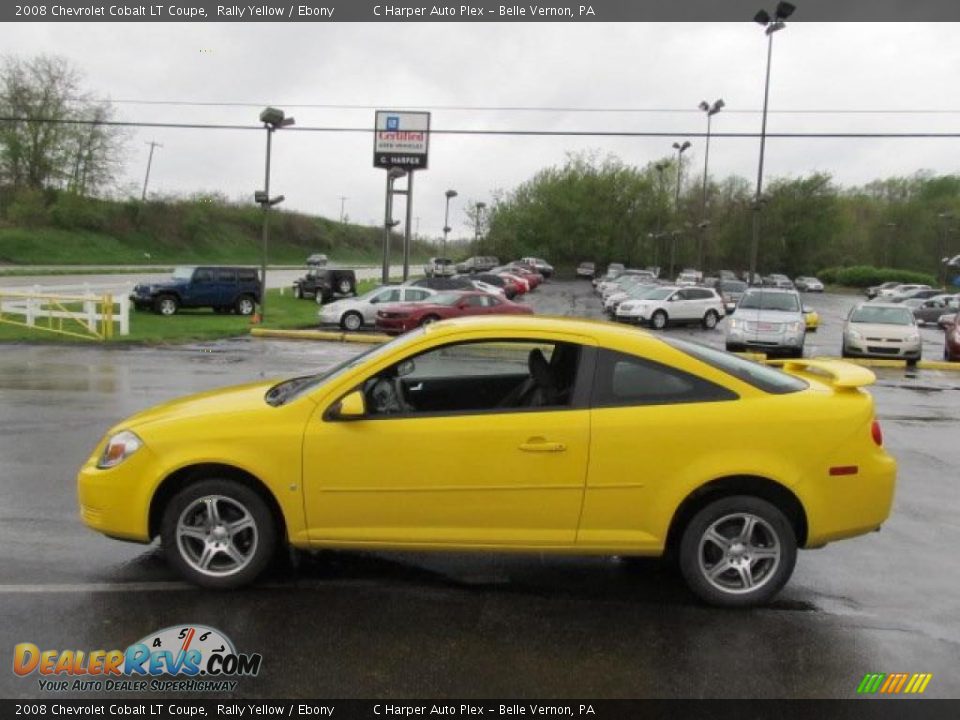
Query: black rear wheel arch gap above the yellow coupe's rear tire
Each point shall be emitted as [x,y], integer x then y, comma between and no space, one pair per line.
[753,485]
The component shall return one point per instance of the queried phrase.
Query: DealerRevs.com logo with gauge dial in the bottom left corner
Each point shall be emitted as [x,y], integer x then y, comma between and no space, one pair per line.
[201,658]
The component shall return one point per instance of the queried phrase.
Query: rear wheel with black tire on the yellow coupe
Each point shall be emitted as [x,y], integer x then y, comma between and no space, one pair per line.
[772,534]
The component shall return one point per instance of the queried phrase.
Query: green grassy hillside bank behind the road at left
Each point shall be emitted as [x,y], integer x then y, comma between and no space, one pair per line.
[61,228]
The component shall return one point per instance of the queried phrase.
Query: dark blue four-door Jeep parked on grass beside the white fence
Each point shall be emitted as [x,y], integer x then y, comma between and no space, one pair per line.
[225,289]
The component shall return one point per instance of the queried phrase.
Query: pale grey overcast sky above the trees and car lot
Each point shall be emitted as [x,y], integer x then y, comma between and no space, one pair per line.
[866,66]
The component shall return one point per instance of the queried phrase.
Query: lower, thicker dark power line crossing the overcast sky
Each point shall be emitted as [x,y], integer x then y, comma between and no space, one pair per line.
[521,133]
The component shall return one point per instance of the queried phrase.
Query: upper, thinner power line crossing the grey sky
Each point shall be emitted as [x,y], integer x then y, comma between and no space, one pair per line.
[528,108]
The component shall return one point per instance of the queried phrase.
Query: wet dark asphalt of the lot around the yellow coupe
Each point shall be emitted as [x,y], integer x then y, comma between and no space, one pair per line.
[355,624]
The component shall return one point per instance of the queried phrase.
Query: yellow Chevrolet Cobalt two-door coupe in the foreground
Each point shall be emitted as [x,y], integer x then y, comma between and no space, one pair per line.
[508,434]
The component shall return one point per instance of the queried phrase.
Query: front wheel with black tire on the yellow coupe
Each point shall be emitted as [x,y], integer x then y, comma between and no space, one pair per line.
[255,543]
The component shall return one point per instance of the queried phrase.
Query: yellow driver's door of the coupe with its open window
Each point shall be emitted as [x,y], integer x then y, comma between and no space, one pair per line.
[465,462]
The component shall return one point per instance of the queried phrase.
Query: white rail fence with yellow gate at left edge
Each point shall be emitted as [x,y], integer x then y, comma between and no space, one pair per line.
[83,315]
